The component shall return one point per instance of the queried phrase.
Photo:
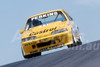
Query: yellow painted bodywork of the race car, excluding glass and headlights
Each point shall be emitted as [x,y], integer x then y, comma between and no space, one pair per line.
[44,36]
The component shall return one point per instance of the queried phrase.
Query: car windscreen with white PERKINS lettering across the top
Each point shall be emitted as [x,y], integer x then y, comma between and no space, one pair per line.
[45,19]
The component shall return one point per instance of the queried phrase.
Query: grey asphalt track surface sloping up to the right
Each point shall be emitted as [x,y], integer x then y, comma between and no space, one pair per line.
[87,55]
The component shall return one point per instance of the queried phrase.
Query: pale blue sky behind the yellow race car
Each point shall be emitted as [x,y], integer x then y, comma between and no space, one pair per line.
[14,13]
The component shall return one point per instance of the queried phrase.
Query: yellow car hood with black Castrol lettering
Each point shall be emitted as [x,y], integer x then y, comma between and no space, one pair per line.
[44,30]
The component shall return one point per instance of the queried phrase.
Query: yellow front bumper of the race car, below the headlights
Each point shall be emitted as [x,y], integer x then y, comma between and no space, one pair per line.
[47,43]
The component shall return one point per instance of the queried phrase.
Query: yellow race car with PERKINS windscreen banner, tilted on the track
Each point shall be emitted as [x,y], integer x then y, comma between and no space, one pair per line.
[48,30]
